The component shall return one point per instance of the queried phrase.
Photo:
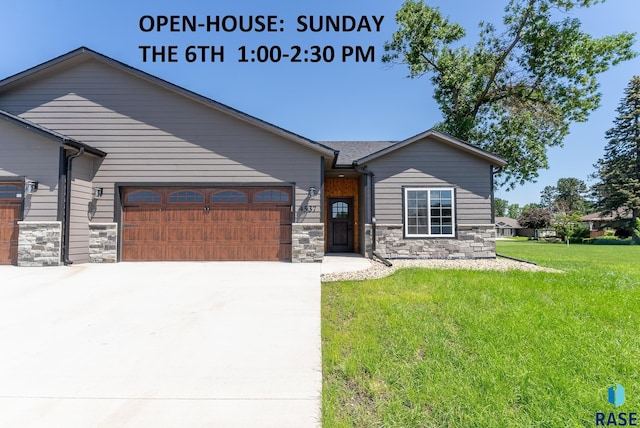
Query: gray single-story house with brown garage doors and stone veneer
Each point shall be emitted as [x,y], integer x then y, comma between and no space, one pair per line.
[102,162]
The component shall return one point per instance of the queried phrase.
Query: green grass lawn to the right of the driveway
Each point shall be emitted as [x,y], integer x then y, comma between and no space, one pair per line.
[438,348]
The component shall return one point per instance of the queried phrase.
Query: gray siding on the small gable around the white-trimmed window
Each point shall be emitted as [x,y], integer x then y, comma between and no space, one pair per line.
[432,163]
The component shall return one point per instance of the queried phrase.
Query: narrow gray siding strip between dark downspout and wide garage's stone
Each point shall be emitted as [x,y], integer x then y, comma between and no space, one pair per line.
[82,171]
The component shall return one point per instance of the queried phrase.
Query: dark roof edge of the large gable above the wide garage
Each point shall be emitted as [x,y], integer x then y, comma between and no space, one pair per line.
[82,54]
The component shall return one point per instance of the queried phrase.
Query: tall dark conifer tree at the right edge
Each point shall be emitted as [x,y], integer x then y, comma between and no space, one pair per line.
[619,169]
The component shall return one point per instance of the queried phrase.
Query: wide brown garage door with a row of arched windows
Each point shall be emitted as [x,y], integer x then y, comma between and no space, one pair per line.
[184,224]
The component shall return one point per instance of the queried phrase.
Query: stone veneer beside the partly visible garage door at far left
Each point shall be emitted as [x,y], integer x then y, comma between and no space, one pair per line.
[39,243]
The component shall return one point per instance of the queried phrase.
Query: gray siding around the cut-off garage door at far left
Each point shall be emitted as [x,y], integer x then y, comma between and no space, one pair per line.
[24,153]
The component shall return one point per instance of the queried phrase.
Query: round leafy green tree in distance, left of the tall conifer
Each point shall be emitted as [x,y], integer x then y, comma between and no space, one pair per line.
[568,196]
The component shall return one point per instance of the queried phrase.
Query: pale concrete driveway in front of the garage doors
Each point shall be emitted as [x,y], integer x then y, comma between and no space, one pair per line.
[160,345]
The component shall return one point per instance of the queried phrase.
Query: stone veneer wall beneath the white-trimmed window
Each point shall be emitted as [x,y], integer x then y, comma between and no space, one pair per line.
[473,242]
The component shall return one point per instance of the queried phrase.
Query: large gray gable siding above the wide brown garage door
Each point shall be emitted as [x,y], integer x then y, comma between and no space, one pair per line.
[154,135]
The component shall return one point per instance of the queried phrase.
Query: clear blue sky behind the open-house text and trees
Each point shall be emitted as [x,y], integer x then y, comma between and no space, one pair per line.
[322,101]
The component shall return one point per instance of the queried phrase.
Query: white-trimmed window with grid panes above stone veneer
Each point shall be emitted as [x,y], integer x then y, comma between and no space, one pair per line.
[429,212]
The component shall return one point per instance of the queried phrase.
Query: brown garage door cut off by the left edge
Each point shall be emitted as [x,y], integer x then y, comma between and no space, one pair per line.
[10,213]
